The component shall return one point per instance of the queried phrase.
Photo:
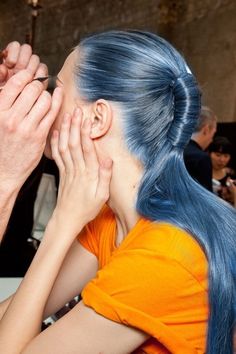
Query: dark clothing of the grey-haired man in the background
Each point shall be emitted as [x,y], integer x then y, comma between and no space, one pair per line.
[198,164]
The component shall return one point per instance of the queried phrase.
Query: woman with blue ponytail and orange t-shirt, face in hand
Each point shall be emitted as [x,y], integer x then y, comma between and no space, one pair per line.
[157,264]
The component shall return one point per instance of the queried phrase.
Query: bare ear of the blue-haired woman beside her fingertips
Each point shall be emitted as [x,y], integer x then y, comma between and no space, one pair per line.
[102,118]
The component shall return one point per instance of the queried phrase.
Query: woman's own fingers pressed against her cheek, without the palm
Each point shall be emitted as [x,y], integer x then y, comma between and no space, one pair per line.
[74,150]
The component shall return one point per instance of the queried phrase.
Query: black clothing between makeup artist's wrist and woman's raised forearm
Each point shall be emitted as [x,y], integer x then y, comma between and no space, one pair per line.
[16,253]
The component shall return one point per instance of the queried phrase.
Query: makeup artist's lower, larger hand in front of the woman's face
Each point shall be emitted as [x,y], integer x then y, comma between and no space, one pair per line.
[27,112]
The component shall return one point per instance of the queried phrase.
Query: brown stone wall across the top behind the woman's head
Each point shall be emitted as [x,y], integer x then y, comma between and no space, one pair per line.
[203,30]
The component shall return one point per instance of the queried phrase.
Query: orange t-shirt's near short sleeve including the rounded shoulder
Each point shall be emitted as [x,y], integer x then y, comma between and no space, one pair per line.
[142,289]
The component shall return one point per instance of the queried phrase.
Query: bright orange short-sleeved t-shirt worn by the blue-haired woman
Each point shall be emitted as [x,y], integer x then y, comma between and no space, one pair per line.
[156,281]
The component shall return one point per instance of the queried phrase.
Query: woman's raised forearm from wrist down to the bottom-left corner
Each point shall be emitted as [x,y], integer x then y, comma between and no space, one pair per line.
[23,317]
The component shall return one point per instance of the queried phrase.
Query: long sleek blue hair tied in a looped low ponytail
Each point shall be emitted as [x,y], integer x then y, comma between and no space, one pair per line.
[160,101]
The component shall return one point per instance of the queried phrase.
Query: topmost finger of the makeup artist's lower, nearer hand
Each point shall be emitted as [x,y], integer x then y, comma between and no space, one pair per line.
[13,88]
